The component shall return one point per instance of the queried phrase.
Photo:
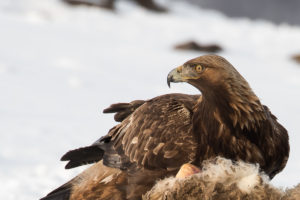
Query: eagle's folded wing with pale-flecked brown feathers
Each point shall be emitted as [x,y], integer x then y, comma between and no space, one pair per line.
[158,134]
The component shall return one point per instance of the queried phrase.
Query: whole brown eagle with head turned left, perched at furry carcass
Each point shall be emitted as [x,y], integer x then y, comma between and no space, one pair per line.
[155,137]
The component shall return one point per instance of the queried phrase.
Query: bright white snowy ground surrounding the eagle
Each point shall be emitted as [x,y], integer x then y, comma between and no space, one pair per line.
[60,66]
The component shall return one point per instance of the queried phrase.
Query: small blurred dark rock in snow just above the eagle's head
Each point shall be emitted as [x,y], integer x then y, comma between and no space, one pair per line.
[191,45]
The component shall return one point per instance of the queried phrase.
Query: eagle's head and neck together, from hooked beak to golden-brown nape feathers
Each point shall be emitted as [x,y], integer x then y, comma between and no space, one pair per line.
[221,85]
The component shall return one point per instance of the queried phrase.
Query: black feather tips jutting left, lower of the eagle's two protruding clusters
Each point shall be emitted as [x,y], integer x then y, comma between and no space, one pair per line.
[82,156]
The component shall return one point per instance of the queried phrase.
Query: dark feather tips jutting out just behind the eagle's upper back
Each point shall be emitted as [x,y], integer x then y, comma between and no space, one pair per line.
[123,110]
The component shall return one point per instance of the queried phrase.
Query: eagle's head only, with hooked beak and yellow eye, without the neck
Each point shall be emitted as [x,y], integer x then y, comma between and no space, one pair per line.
[207,73]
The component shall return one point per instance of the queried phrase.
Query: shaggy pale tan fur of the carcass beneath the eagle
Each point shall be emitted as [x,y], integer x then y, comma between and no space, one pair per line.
[221,179]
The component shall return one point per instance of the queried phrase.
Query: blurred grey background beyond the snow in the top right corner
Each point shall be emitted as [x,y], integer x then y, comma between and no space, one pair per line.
[278,11]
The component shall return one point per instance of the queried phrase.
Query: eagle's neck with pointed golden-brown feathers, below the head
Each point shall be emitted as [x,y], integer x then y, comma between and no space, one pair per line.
[234,105]
